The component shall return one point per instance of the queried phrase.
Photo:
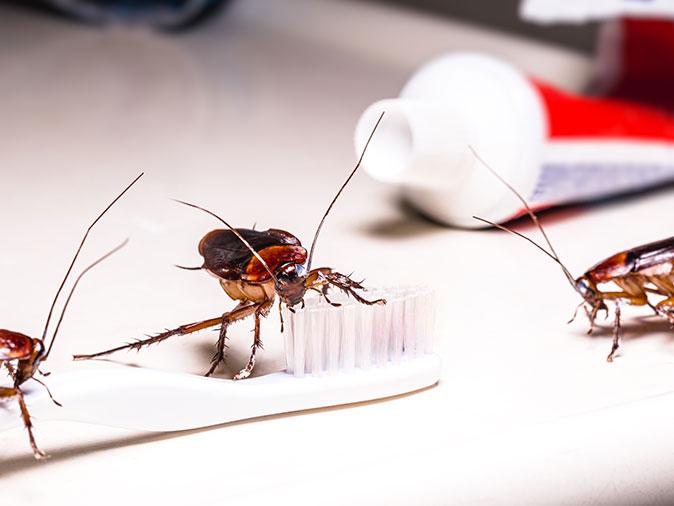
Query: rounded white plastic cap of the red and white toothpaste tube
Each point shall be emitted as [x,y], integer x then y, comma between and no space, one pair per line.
[453,103]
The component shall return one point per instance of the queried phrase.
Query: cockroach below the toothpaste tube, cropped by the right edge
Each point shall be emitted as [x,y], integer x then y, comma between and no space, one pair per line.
[638,272]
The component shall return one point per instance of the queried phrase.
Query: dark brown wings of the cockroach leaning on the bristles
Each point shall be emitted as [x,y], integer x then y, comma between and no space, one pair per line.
[227,257]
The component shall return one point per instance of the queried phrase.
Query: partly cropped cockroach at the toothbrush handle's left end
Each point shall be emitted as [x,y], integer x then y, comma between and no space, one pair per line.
[22,355]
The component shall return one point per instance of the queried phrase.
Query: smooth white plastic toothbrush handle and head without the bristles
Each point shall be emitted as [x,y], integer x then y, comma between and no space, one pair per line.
[144,399]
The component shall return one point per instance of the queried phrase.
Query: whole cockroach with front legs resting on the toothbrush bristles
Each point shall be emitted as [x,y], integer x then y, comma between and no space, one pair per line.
[253,267]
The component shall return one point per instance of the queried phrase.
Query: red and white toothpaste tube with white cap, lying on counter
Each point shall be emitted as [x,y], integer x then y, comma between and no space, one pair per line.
[554,147]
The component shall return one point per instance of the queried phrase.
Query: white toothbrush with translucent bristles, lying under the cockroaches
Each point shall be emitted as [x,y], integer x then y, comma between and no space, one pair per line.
[334,355]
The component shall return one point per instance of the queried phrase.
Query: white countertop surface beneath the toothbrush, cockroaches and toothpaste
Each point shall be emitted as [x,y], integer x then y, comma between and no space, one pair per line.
[252,116]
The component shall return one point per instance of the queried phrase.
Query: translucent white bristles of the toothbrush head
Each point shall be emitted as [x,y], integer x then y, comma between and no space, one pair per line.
[324,339]
